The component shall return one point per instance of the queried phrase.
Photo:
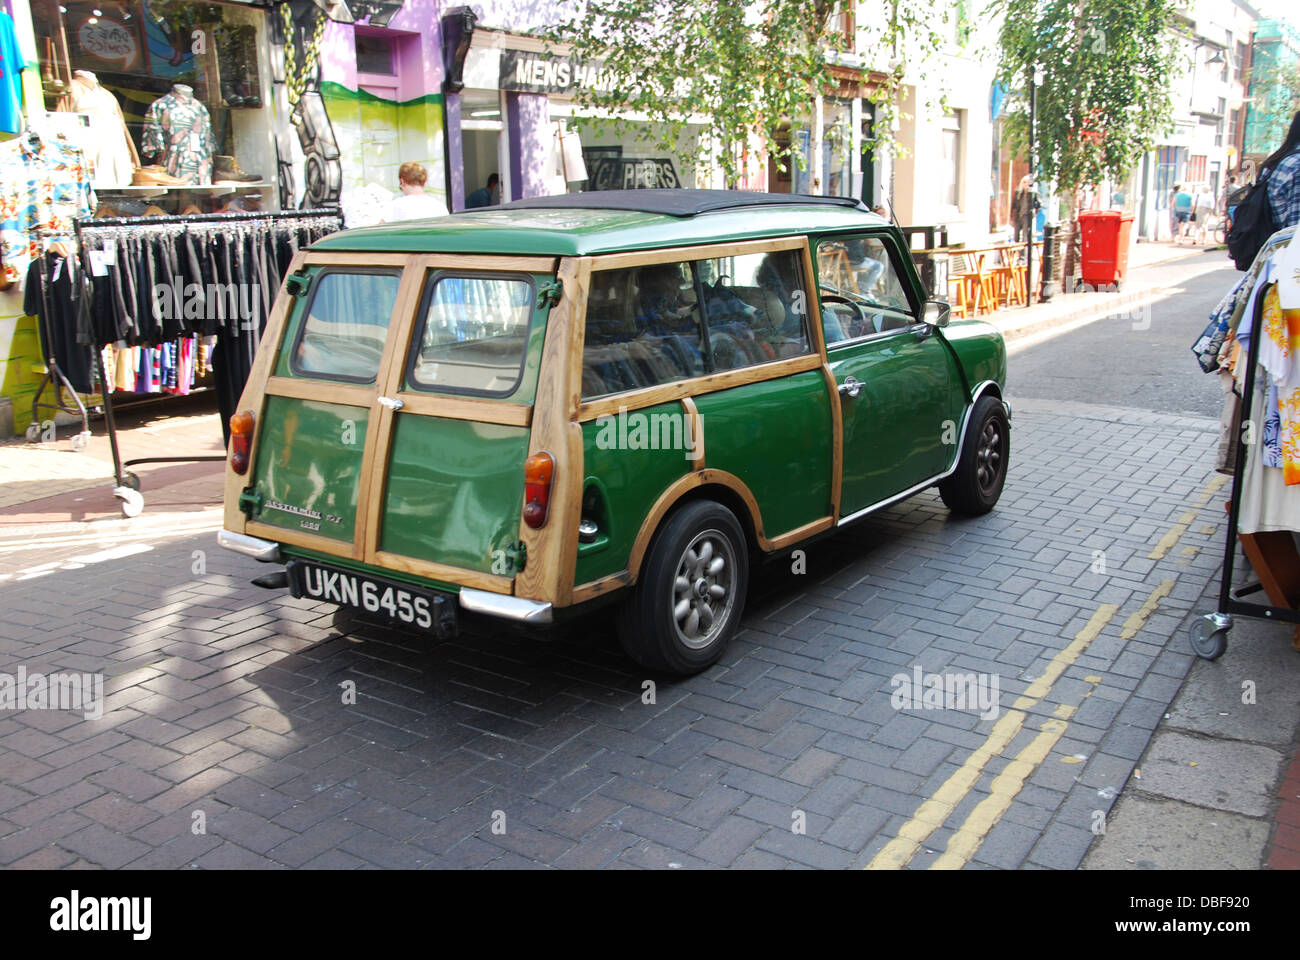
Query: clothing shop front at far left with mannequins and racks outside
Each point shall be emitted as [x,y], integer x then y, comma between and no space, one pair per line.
[155,148]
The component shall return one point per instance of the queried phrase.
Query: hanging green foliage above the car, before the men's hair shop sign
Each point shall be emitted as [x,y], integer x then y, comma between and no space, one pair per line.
[747,71]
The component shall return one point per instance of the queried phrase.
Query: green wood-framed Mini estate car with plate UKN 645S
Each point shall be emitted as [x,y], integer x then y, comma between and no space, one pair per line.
[608,399]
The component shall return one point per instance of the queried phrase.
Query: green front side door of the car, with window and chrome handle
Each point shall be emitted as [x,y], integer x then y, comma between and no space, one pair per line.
[900,390]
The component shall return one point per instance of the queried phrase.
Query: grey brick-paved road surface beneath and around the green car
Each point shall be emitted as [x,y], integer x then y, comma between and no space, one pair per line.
[227,702]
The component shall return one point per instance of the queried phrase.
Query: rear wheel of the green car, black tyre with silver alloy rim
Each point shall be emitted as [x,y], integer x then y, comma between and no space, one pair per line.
[656,625]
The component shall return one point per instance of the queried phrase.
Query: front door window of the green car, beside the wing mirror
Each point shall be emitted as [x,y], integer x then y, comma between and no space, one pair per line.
[861,289]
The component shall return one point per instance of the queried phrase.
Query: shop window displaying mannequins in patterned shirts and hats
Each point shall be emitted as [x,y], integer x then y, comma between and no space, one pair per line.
[187,80]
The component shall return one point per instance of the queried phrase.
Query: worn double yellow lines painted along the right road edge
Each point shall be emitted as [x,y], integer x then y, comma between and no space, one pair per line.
[934,812]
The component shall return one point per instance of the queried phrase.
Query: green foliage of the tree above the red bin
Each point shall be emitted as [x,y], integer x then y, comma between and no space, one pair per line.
[1107,71]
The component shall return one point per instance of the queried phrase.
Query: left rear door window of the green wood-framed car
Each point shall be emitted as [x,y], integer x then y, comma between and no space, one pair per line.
[348,322]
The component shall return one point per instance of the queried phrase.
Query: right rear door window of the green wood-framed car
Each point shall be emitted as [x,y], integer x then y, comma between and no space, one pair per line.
[474,338]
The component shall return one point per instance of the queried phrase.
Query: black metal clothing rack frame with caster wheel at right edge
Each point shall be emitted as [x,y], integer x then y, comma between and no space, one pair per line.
[1210,633]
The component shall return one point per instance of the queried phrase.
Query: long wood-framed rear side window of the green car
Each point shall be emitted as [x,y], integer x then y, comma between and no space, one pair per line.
[661,323]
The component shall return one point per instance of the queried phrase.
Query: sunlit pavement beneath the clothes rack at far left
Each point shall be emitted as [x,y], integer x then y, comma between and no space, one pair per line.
[49,488]
